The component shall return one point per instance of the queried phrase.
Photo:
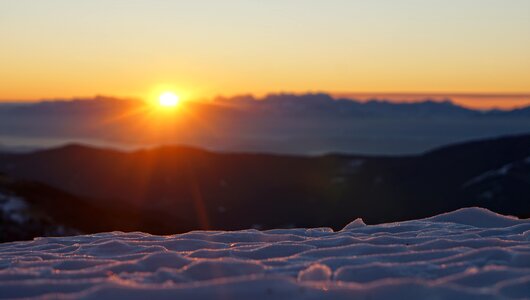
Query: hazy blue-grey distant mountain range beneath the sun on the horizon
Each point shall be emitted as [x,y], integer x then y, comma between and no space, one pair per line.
[281,123]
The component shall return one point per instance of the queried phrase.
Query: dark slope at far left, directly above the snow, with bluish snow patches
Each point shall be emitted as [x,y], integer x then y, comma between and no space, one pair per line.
[30,209]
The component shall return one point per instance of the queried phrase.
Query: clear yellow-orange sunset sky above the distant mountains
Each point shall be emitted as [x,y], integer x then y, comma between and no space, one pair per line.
[201,48]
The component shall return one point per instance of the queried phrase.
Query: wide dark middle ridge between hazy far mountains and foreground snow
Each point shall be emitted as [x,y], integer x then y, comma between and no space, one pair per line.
[174,189]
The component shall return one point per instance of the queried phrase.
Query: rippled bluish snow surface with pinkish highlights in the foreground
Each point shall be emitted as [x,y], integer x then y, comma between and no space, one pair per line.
[467,254]
